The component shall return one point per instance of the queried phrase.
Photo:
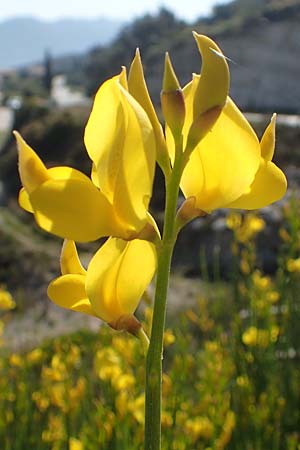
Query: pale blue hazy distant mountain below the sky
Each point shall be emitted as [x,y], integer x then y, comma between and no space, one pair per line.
[25,40]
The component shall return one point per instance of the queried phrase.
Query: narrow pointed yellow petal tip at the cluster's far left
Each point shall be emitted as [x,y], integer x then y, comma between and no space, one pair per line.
[32,170]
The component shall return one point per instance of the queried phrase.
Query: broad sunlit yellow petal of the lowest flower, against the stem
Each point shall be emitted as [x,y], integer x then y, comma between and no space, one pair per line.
[118,275]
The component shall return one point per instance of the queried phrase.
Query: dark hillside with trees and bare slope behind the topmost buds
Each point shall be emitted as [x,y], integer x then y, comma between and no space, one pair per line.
[261,37]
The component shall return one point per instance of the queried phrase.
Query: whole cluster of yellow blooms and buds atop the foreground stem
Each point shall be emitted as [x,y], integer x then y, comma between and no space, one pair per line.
[222,164]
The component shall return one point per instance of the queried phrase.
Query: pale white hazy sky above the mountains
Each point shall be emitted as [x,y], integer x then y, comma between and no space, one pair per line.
[123,9]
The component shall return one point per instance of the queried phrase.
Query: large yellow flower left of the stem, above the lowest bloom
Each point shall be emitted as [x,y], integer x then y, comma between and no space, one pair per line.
[120,141]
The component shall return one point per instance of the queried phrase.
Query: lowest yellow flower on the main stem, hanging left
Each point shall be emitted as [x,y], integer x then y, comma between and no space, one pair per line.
[113,284]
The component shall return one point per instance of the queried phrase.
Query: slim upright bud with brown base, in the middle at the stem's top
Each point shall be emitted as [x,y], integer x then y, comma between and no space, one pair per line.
[172,100]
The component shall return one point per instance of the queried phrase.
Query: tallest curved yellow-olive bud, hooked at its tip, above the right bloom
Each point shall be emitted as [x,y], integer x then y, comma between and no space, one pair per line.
[213,87]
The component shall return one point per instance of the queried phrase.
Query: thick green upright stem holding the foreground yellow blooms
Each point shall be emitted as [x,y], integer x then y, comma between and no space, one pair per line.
[155,353]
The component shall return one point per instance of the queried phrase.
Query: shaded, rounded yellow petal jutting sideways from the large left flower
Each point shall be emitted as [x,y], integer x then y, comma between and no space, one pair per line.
[73,209]
